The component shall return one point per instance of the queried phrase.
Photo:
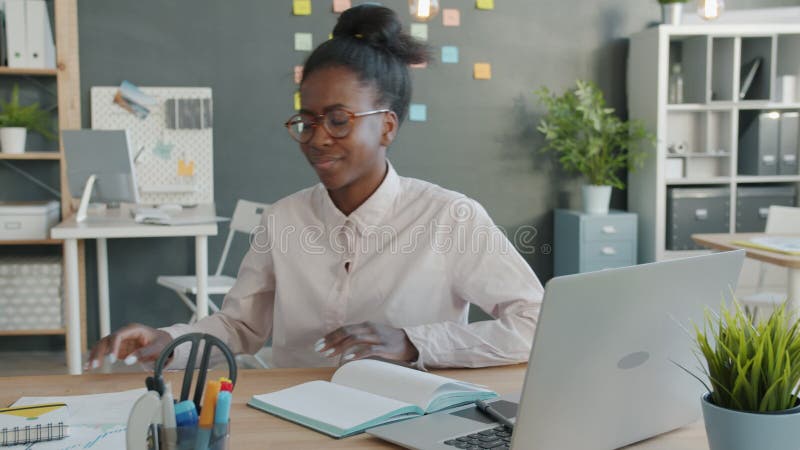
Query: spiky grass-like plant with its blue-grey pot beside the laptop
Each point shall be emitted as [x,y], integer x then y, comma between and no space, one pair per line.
[754,370]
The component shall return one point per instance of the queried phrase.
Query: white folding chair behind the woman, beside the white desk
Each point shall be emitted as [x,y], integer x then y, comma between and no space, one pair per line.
[246,217]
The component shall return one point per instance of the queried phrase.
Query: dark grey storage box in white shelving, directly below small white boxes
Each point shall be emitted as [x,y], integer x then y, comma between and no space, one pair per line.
[693,210]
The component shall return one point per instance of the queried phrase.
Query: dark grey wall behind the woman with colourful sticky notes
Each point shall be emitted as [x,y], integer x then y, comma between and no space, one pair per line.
[479,139]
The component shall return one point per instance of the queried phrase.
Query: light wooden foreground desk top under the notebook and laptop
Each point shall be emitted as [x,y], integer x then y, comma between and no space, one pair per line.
[251,428]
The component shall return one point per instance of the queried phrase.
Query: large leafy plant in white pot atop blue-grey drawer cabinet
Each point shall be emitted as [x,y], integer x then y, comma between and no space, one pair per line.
[590,139]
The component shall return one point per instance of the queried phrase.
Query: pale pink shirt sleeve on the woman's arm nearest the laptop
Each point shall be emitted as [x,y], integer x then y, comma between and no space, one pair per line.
[491,274]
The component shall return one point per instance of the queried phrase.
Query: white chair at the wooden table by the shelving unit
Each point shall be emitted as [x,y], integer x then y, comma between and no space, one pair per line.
[780,220]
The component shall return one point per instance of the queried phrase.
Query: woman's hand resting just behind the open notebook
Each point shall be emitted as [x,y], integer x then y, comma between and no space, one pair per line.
[368,340]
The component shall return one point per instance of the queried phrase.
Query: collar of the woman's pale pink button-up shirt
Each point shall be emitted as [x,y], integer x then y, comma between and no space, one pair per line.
[370,213]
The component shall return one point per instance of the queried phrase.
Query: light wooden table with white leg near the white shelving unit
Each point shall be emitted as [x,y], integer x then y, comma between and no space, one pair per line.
[724,242]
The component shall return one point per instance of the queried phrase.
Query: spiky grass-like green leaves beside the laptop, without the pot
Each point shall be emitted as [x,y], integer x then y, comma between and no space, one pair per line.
[754,368]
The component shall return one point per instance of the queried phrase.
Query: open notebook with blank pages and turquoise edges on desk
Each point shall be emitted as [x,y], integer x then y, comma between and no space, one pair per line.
[367,393]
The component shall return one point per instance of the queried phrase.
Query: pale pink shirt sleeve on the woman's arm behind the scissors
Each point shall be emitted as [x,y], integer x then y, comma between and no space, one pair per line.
[244,322]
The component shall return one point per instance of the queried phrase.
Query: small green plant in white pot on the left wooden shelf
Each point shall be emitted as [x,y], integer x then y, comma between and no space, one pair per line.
[16,120]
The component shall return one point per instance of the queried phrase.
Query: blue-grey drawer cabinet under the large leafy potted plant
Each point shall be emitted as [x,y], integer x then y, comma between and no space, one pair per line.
[589,242]
